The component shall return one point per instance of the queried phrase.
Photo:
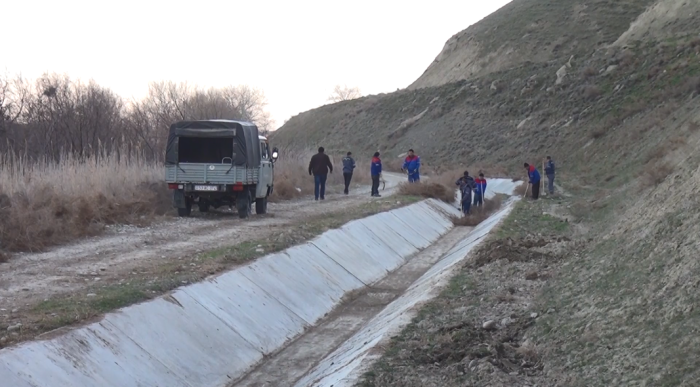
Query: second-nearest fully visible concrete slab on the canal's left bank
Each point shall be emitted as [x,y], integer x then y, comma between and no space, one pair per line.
[249,310]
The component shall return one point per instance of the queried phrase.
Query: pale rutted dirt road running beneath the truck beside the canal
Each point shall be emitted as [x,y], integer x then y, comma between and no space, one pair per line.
[28,279]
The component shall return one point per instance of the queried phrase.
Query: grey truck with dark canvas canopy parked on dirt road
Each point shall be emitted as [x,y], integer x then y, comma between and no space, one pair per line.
[214,163]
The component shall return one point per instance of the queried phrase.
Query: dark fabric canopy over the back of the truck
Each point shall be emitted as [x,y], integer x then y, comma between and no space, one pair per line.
[200,142]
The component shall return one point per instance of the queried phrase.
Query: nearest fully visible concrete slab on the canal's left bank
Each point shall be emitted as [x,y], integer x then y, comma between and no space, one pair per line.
[187,339]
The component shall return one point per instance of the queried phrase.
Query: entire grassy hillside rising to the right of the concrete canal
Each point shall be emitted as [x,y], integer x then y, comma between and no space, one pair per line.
[619,304]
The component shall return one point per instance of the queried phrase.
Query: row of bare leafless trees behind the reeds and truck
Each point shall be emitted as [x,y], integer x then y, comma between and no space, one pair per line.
[56,114]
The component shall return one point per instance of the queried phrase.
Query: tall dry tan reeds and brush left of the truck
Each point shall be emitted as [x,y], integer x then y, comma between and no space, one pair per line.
[48,203]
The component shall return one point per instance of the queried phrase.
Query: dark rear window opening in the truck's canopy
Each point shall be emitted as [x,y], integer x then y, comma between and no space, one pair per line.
[205,150]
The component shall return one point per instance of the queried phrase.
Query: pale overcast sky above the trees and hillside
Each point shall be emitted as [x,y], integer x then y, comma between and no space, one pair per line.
[296,51]
